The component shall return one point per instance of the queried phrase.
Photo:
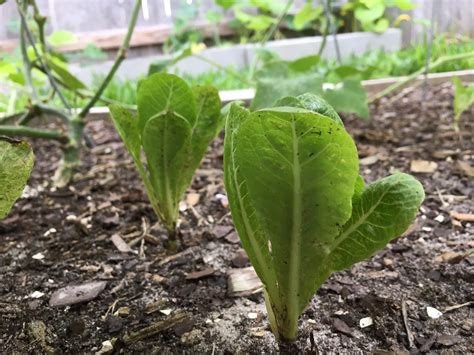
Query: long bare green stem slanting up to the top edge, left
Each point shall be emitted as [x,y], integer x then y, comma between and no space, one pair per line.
[121,55]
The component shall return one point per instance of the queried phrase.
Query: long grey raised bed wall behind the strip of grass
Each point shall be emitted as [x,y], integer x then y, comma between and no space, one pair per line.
[242,55]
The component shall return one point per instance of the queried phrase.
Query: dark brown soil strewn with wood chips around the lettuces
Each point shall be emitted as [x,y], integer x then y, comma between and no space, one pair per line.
[55,238]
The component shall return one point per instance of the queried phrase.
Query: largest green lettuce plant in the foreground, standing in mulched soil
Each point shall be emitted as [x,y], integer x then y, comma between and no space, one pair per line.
[299,205]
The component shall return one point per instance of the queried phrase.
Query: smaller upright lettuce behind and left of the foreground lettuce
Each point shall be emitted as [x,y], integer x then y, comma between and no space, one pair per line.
[174,127]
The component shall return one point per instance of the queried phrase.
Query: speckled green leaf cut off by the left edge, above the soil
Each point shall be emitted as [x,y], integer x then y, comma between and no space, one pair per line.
[16,163]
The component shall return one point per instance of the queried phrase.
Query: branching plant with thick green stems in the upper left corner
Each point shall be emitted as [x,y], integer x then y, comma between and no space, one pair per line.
[42,77]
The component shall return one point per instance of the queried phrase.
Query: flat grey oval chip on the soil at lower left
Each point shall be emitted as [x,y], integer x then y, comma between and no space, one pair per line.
[70,295]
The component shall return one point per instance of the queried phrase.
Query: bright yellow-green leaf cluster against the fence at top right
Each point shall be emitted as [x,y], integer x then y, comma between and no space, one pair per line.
[371,15]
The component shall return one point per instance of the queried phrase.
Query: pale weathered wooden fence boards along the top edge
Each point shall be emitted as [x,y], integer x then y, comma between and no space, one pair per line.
[110,16]
